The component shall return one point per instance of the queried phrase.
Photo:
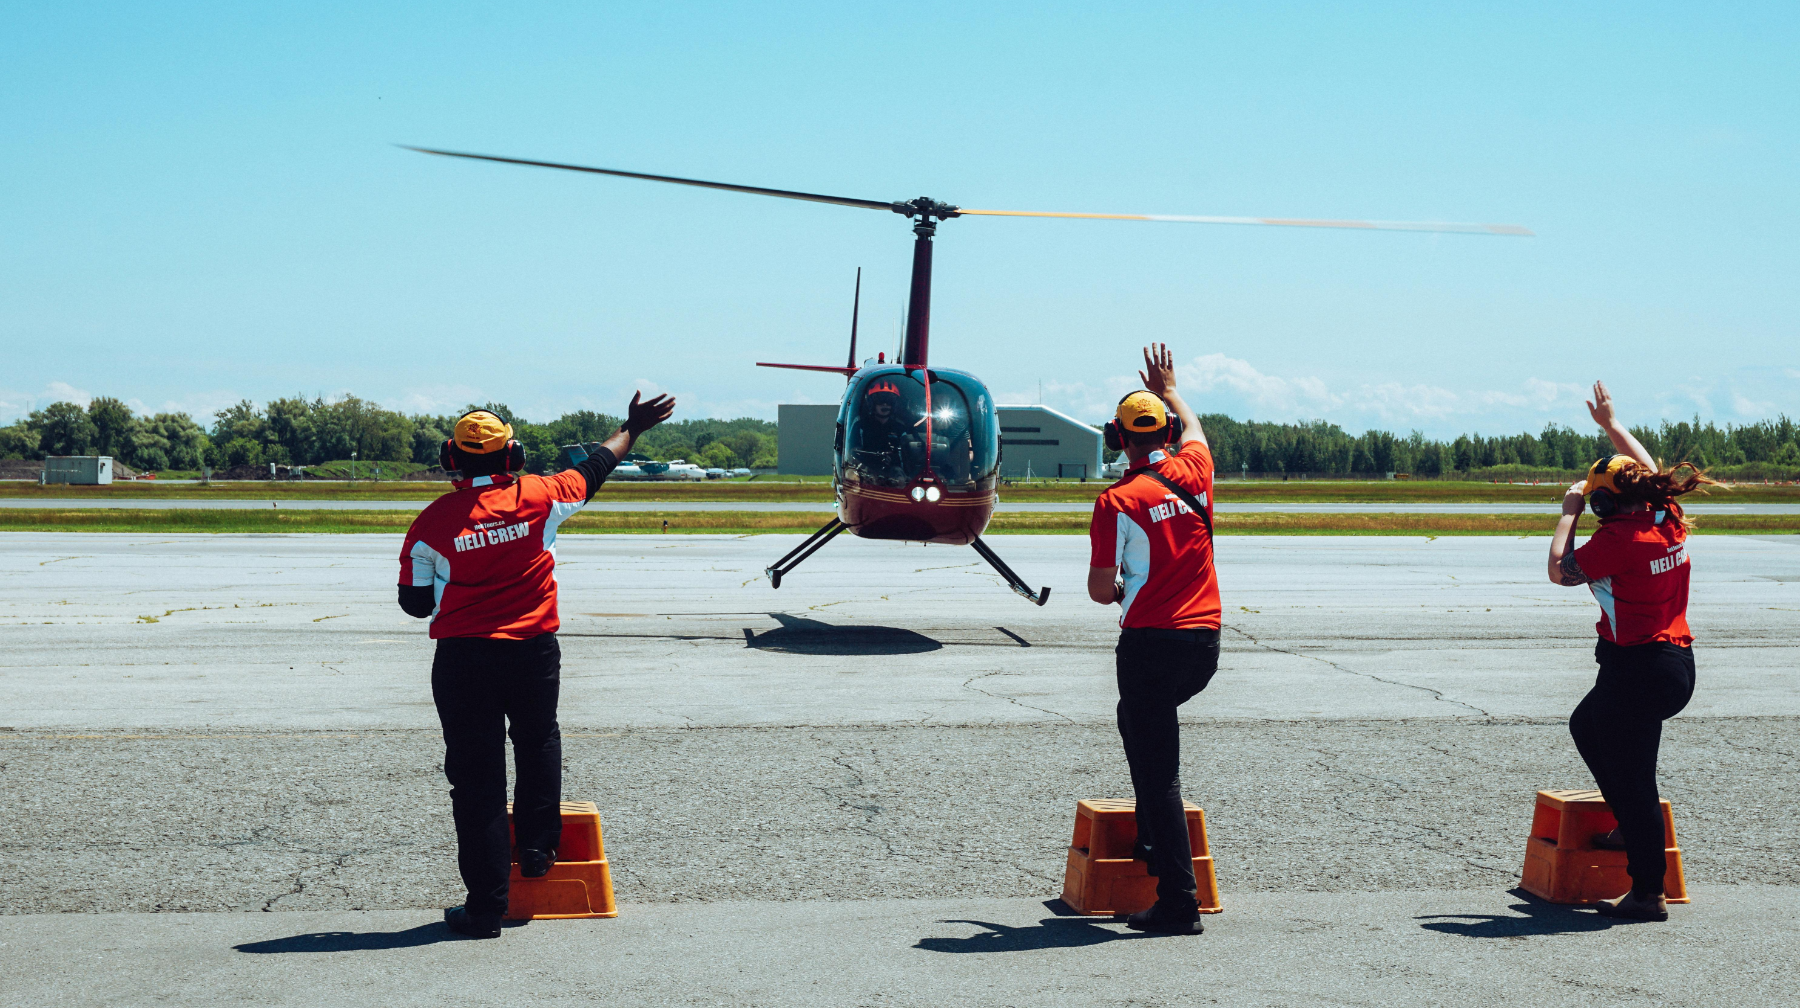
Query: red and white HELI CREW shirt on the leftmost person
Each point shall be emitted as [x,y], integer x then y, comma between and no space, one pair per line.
[489,550]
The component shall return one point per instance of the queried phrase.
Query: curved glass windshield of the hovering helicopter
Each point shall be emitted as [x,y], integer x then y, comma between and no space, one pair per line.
[899,429]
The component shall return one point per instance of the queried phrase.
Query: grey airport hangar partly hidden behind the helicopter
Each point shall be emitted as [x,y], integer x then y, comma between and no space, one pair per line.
[1036,442]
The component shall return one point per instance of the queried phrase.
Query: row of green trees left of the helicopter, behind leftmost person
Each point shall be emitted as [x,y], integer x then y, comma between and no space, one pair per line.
[309,433]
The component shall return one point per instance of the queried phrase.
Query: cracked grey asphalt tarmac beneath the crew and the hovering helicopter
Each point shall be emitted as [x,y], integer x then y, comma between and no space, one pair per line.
[858,789]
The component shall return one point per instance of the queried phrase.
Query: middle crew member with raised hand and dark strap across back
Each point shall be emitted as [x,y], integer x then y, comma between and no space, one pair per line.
[1153,555]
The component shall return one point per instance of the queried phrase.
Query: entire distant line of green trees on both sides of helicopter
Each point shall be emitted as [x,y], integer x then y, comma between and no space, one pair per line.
[300,431]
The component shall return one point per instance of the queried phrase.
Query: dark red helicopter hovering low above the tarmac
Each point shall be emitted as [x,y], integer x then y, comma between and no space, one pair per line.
[917,447]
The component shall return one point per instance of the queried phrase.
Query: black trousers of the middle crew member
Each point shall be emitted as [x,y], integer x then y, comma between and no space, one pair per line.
[1158,672]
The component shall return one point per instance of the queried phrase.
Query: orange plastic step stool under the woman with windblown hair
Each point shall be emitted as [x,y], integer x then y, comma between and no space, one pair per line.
[1561,863]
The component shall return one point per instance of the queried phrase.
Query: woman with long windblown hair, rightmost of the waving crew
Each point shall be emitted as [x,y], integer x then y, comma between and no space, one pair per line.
[1639,571]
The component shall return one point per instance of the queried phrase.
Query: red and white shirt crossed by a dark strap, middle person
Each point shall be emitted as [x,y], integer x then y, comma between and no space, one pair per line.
[1158,544]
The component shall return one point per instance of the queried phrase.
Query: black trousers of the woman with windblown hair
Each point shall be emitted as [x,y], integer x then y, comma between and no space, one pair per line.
[1617,728]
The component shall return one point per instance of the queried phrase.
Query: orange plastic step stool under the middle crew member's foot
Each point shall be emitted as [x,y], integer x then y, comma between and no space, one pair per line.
[1102,879]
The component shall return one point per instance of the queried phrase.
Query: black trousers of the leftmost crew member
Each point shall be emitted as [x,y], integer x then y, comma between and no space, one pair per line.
[481,687]
